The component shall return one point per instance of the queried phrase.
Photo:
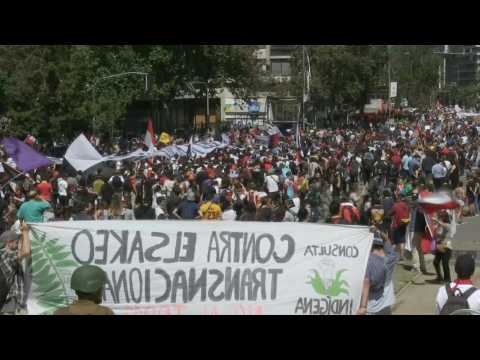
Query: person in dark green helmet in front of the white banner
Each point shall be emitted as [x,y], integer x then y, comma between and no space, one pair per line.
[88,282]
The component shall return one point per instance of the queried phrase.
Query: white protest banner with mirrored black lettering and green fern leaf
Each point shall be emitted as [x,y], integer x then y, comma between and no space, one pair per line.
[173,268]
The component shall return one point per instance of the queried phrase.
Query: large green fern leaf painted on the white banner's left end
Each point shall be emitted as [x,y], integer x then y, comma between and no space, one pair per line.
[49,261]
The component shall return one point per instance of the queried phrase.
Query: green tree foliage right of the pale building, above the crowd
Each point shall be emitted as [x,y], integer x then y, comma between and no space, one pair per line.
[344,77]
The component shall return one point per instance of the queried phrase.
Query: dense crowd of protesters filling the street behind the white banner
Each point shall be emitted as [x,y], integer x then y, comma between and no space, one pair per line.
[358,175]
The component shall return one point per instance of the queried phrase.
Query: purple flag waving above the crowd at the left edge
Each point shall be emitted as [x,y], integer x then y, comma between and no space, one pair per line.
[25,157]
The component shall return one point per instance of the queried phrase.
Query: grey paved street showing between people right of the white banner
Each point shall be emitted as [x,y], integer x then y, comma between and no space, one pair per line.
[420,299]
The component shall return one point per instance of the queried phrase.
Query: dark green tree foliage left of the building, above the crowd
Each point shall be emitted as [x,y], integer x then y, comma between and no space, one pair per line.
[55,90]
